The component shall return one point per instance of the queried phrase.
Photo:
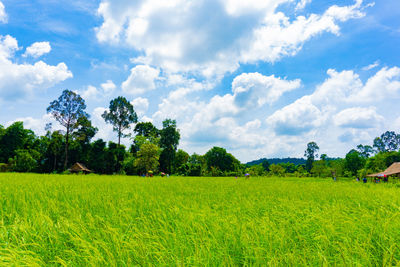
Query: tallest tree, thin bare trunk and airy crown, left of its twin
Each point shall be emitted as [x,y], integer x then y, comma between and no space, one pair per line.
[68,109]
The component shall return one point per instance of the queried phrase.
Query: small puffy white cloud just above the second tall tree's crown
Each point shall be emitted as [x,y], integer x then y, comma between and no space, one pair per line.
[141,80]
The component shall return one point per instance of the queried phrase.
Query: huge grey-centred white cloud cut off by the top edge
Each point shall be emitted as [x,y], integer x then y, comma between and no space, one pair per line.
[183,36]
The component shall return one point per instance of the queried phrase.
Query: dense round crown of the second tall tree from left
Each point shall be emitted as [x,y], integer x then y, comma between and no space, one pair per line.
[121,115]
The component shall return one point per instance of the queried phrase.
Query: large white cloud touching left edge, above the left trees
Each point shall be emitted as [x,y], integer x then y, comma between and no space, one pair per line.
[19,80]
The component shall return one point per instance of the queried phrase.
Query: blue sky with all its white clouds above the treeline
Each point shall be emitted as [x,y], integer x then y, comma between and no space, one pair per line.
[261,78]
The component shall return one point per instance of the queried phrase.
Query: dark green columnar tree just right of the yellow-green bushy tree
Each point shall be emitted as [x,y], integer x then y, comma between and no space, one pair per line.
[169,140]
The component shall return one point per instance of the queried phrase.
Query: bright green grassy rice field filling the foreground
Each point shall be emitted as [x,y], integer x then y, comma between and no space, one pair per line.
[79,220]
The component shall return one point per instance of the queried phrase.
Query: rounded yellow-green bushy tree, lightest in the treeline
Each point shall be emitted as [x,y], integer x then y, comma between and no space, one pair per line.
[147,157]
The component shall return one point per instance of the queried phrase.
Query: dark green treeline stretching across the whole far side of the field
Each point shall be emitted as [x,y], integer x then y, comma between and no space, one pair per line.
[156,150]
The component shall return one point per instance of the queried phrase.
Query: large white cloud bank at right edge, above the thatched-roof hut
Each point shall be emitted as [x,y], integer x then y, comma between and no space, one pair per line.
[341,108]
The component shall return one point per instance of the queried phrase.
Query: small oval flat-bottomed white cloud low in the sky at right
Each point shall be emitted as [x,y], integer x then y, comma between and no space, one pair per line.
[359,118]
